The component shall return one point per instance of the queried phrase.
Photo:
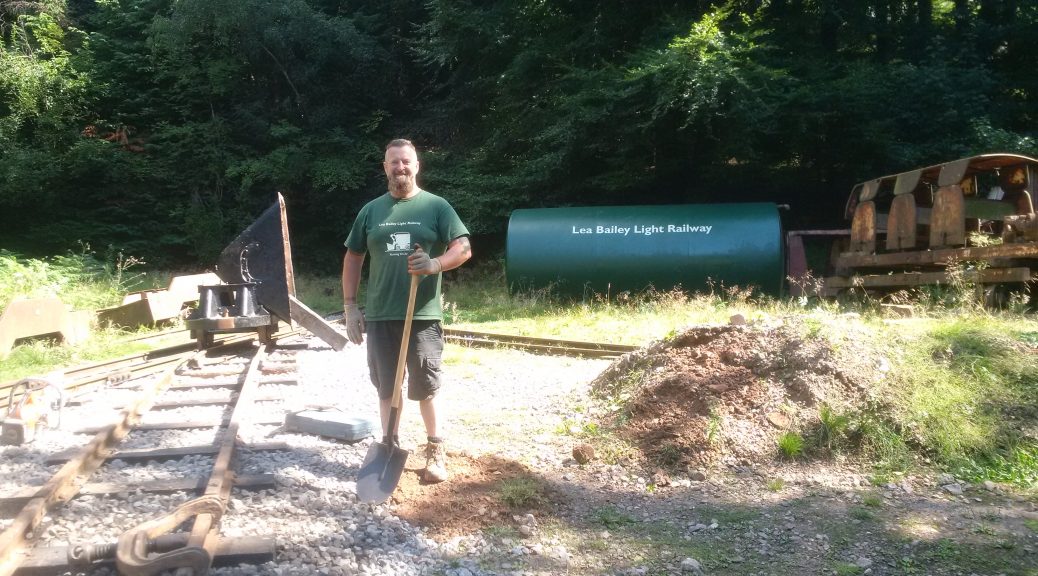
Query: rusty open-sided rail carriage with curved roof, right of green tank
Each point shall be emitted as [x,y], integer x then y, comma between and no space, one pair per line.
[912,229]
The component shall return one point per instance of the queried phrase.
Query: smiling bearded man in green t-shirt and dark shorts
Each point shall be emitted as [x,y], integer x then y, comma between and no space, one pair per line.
[407,232]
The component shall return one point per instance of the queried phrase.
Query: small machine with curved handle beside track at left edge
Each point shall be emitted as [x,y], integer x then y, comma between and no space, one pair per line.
[39,406]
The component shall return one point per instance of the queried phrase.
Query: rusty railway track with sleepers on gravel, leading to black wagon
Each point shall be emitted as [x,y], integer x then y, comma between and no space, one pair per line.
[207,396]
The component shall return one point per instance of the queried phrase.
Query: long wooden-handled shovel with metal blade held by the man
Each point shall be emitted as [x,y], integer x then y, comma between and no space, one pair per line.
[385,463]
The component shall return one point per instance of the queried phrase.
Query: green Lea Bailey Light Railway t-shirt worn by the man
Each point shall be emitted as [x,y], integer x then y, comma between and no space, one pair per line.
[388,230]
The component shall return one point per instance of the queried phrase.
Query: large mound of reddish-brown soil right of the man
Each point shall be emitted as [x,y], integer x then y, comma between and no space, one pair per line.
[726,394]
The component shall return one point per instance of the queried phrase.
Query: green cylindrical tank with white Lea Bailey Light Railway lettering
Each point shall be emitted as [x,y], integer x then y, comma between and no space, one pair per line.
[612,250]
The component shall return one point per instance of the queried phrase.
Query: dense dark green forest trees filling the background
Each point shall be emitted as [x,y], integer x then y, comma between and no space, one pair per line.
[163,128]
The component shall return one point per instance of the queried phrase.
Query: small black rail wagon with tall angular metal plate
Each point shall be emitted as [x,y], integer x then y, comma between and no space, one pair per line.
[259,289]
